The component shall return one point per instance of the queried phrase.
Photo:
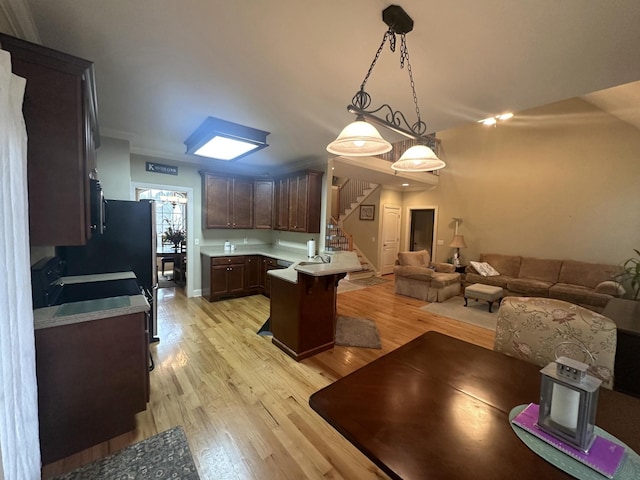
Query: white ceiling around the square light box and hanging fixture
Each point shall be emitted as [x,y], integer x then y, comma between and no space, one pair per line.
[291,67]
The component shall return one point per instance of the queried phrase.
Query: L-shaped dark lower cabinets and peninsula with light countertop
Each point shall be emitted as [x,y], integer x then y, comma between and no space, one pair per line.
[302,290]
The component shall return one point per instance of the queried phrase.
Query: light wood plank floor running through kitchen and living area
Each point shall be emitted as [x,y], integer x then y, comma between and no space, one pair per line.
[243,403]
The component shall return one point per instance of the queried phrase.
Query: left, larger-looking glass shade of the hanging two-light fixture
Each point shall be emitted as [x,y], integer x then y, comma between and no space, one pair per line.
[359,139]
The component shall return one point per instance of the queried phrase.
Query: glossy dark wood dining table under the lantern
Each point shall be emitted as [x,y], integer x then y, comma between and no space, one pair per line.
[439,407]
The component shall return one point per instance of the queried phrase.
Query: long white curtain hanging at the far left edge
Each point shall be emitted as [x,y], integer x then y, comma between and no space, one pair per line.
[19,443]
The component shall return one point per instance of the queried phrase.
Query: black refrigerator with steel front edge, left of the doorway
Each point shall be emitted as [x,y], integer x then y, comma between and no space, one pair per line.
[127,244]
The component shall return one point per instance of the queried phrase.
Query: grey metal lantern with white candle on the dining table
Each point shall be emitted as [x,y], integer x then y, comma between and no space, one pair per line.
[568,402]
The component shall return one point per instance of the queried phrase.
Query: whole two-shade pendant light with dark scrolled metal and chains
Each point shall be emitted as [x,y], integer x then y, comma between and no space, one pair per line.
[360,138]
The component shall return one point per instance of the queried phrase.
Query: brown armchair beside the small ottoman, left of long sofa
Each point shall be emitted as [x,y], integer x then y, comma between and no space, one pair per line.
[416,276]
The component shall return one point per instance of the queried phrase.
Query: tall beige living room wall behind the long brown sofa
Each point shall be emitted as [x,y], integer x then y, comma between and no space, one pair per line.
[554,182]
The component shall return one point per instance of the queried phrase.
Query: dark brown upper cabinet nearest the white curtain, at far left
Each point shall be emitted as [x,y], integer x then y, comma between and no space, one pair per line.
[60,112]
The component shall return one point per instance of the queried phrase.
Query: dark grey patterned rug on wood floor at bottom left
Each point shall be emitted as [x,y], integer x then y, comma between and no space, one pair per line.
[164,456]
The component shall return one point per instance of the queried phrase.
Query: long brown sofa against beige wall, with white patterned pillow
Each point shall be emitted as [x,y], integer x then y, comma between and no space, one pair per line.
[589,285]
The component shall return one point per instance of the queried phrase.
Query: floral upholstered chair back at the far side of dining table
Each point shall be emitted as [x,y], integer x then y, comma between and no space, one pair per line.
[539,330]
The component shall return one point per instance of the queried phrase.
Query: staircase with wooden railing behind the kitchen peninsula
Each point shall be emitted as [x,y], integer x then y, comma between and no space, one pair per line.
[352,194]
